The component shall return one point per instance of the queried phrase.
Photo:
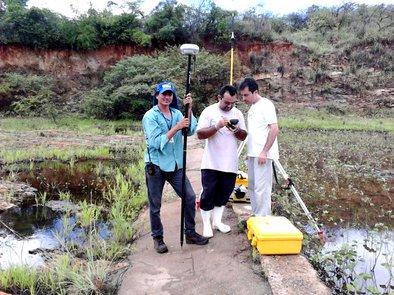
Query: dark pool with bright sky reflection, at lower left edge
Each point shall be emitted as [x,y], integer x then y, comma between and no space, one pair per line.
[37,228]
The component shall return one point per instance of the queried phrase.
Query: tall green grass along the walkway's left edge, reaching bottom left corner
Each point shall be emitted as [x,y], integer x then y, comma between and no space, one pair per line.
[86,269]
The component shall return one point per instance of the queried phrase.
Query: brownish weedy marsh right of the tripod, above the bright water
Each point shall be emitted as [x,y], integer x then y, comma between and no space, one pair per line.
[332,165]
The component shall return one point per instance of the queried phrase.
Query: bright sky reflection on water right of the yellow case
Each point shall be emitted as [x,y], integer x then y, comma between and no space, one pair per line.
[374,251]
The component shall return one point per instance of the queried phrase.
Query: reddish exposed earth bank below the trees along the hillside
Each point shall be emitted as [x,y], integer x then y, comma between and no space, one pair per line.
[71,63]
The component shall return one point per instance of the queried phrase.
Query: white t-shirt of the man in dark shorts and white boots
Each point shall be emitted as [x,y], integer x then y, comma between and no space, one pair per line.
[220,152]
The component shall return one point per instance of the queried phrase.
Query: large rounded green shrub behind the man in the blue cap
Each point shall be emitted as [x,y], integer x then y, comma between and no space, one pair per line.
[128,86]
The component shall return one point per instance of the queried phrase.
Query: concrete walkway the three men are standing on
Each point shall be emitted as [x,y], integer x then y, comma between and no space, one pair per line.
[224,266]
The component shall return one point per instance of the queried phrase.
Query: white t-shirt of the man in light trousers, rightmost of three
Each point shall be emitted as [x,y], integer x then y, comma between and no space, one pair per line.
[260,115]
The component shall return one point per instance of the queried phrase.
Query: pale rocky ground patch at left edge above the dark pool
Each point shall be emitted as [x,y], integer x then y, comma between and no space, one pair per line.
[15,194]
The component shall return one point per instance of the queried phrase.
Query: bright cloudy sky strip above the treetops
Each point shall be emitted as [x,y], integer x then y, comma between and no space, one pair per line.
[276,7]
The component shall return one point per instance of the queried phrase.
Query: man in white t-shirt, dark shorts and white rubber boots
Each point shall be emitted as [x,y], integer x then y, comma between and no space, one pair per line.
[221,125]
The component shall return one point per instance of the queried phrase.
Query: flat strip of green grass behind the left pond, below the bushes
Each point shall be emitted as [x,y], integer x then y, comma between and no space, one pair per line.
[71,123]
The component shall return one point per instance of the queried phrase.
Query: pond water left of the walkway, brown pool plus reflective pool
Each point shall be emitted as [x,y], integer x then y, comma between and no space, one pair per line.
[35,228]
